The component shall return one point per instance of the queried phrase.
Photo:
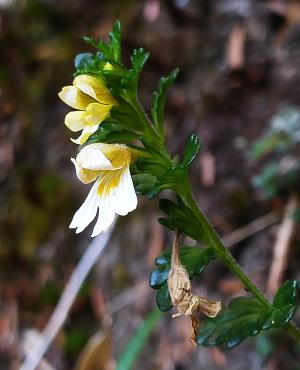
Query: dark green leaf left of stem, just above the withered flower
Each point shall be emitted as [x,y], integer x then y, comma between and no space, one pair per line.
[181,218]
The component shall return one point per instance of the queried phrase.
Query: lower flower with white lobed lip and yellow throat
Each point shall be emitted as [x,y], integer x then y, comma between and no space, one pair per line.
[113,191]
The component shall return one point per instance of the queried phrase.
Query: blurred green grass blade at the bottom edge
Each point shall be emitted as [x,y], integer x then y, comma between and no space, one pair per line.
[138,341]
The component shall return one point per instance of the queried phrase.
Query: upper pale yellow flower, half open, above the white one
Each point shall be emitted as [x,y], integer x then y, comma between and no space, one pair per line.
[93,102]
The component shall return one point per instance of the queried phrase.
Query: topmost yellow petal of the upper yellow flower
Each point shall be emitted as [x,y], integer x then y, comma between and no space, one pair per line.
[95,88]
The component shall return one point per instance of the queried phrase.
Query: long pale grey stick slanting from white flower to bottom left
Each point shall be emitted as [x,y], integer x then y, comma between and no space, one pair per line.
[60,313]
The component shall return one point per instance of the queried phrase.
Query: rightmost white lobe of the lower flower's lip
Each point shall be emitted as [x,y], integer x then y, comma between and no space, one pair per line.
[125,199]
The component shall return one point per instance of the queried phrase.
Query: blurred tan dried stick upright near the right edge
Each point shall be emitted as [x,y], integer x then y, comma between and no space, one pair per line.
[281,246]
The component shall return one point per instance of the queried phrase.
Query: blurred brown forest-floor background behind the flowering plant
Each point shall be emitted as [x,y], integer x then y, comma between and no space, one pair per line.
[239,90]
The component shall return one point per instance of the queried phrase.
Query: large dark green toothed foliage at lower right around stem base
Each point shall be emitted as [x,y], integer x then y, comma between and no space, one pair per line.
[245,317]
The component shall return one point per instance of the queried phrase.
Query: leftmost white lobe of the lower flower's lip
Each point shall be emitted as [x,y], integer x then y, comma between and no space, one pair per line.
[88,210]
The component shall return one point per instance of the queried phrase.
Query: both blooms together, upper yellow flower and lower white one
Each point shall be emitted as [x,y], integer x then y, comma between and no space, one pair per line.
[107,165]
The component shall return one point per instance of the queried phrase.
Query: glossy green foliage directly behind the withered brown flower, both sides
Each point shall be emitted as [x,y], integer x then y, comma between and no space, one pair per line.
[193,258]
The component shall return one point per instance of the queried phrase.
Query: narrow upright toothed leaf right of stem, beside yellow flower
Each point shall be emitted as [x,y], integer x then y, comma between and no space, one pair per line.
[159,98]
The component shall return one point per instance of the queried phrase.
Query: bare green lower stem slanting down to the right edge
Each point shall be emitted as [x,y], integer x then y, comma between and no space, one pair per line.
[227,258]
